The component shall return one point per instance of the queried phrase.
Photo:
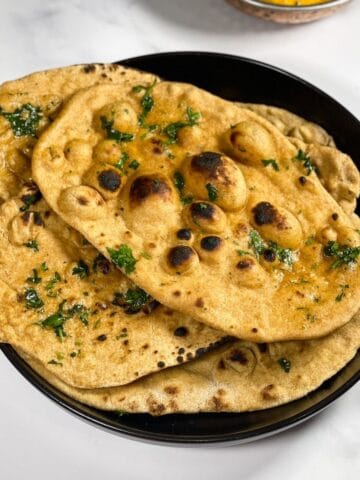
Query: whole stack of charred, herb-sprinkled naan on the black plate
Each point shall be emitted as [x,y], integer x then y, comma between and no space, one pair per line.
[163,250]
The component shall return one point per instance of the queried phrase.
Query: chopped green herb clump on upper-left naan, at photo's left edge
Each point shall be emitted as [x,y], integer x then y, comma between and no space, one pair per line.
[24,120]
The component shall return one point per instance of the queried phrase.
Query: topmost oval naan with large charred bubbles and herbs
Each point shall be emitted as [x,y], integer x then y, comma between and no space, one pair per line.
[258,206]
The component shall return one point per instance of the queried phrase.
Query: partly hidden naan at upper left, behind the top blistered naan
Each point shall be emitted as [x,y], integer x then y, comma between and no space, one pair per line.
[47,90]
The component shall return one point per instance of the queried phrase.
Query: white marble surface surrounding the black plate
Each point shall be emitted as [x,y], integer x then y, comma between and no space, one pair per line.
[37,439]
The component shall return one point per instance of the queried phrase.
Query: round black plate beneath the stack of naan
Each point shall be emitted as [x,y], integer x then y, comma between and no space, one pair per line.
[233,78]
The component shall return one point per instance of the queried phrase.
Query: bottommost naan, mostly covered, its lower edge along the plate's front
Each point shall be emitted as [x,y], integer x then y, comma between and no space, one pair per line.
[239,377]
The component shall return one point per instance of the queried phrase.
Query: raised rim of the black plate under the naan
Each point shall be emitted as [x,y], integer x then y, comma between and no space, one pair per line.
[95,417]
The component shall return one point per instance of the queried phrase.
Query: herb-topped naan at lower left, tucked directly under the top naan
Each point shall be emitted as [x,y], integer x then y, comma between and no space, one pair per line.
[108,332]
